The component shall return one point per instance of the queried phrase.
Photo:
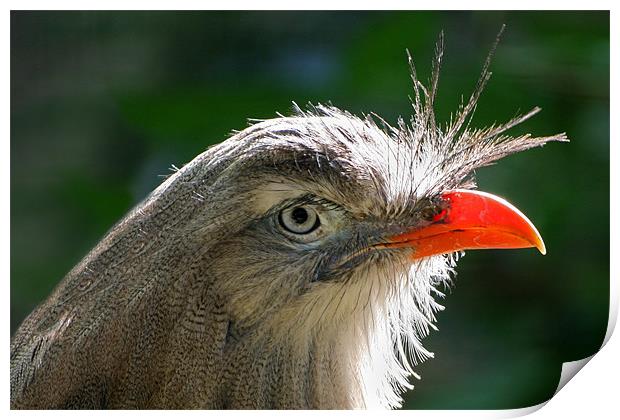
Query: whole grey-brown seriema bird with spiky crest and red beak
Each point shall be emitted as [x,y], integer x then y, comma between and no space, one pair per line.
[294,265]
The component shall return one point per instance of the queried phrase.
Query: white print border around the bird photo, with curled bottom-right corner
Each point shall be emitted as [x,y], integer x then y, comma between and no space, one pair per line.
[594,393]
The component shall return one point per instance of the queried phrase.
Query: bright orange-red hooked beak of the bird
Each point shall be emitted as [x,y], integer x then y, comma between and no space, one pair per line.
[471,220]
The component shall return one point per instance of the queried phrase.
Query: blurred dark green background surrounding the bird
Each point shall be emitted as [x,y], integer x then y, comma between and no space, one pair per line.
[102,103]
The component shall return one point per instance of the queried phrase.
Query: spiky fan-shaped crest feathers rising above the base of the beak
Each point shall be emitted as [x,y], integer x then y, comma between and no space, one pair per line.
[459,148]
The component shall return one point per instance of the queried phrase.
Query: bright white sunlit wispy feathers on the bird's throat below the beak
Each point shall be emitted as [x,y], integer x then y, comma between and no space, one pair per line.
[403,313]
